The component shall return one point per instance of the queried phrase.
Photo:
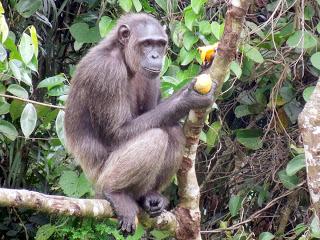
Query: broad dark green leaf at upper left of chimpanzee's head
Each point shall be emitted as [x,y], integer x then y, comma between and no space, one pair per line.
[83,34]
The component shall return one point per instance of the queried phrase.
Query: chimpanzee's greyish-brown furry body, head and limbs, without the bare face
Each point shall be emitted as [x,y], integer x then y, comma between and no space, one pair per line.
[127,142]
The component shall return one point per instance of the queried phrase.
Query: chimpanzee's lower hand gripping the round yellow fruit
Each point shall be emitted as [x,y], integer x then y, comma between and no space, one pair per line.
[194,99]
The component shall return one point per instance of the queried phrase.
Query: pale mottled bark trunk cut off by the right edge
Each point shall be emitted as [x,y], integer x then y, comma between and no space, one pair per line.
[309,124]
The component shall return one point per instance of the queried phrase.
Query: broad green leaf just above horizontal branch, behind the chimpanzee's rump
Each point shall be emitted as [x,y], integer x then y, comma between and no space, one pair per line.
[74,186]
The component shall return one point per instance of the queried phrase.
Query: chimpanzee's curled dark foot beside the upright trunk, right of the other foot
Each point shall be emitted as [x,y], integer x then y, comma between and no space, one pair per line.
[154,203]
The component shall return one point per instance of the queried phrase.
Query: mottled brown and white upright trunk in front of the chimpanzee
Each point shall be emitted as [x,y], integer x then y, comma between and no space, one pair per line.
[188,213]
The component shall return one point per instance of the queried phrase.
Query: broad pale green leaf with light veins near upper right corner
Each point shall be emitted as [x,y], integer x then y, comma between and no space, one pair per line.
[302,39]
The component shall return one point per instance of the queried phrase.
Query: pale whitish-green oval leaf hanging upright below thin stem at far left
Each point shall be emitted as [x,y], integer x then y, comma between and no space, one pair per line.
[28,120]
